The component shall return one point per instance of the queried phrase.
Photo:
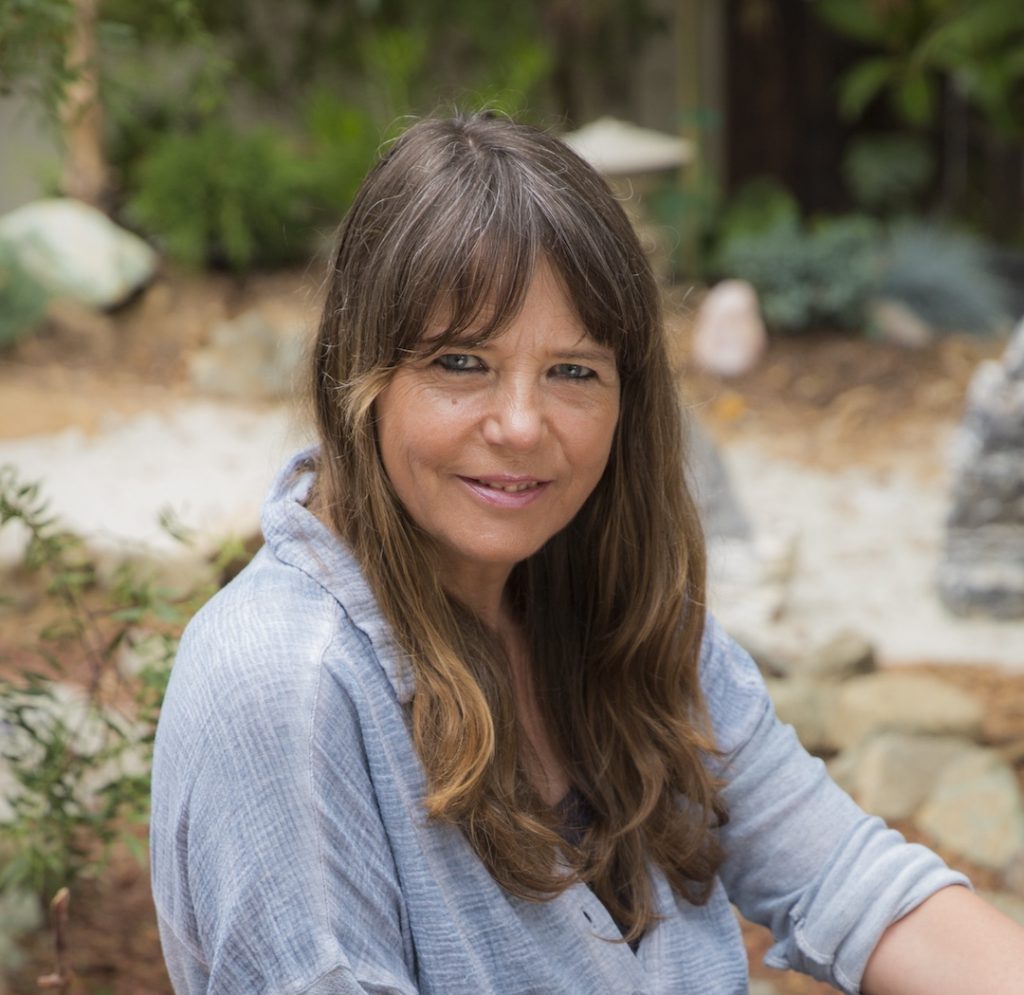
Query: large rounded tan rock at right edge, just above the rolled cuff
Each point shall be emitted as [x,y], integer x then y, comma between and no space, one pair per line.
[976,810]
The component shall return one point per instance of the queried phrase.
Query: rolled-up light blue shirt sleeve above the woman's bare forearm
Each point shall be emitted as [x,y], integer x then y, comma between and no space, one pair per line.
[801,857]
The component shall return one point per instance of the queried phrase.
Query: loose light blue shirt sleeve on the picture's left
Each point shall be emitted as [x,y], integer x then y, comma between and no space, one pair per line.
[272,871]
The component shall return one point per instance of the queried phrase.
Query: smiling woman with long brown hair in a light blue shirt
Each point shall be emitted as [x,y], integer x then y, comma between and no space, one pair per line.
[462,726]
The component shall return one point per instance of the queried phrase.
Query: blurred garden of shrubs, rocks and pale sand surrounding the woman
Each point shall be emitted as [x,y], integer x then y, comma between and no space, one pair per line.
[860,164]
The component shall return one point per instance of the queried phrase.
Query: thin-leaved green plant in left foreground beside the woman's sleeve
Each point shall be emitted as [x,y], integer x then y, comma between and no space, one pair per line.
[78,758]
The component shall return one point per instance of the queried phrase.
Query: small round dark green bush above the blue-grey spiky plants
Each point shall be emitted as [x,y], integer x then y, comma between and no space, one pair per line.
[887,175]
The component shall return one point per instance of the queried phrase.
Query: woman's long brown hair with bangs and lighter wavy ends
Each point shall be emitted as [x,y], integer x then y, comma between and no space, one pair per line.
[454,220]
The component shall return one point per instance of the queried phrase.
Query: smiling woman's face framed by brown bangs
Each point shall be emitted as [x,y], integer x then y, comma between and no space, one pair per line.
[495,450]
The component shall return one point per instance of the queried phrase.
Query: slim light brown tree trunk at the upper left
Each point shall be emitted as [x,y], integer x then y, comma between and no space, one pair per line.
[86,174]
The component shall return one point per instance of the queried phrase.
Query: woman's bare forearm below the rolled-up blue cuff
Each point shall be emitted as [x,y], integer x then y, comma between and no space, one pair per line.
[953,943]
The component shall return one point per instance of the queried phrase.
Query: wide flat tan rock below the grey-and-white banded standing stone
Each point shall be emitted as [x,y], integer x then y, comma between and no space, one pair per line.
[908,703]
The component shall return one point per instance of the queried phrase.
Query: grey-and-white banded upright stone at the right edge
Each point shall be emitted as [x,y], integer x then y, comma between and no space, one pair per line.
[983,572]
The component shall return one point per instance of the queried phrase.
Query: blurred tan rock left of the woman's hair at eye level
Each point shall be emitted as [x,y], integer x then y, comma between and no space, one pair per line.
[257,356]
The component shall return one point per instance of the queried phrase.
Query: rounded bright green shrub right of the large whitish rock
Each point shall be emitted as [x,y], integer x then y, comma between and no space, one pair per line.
[224,197]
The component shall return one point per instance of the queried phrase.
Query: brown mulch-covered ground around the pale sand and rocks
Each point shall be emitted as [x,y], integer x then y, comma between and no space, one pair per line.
[829,401]
